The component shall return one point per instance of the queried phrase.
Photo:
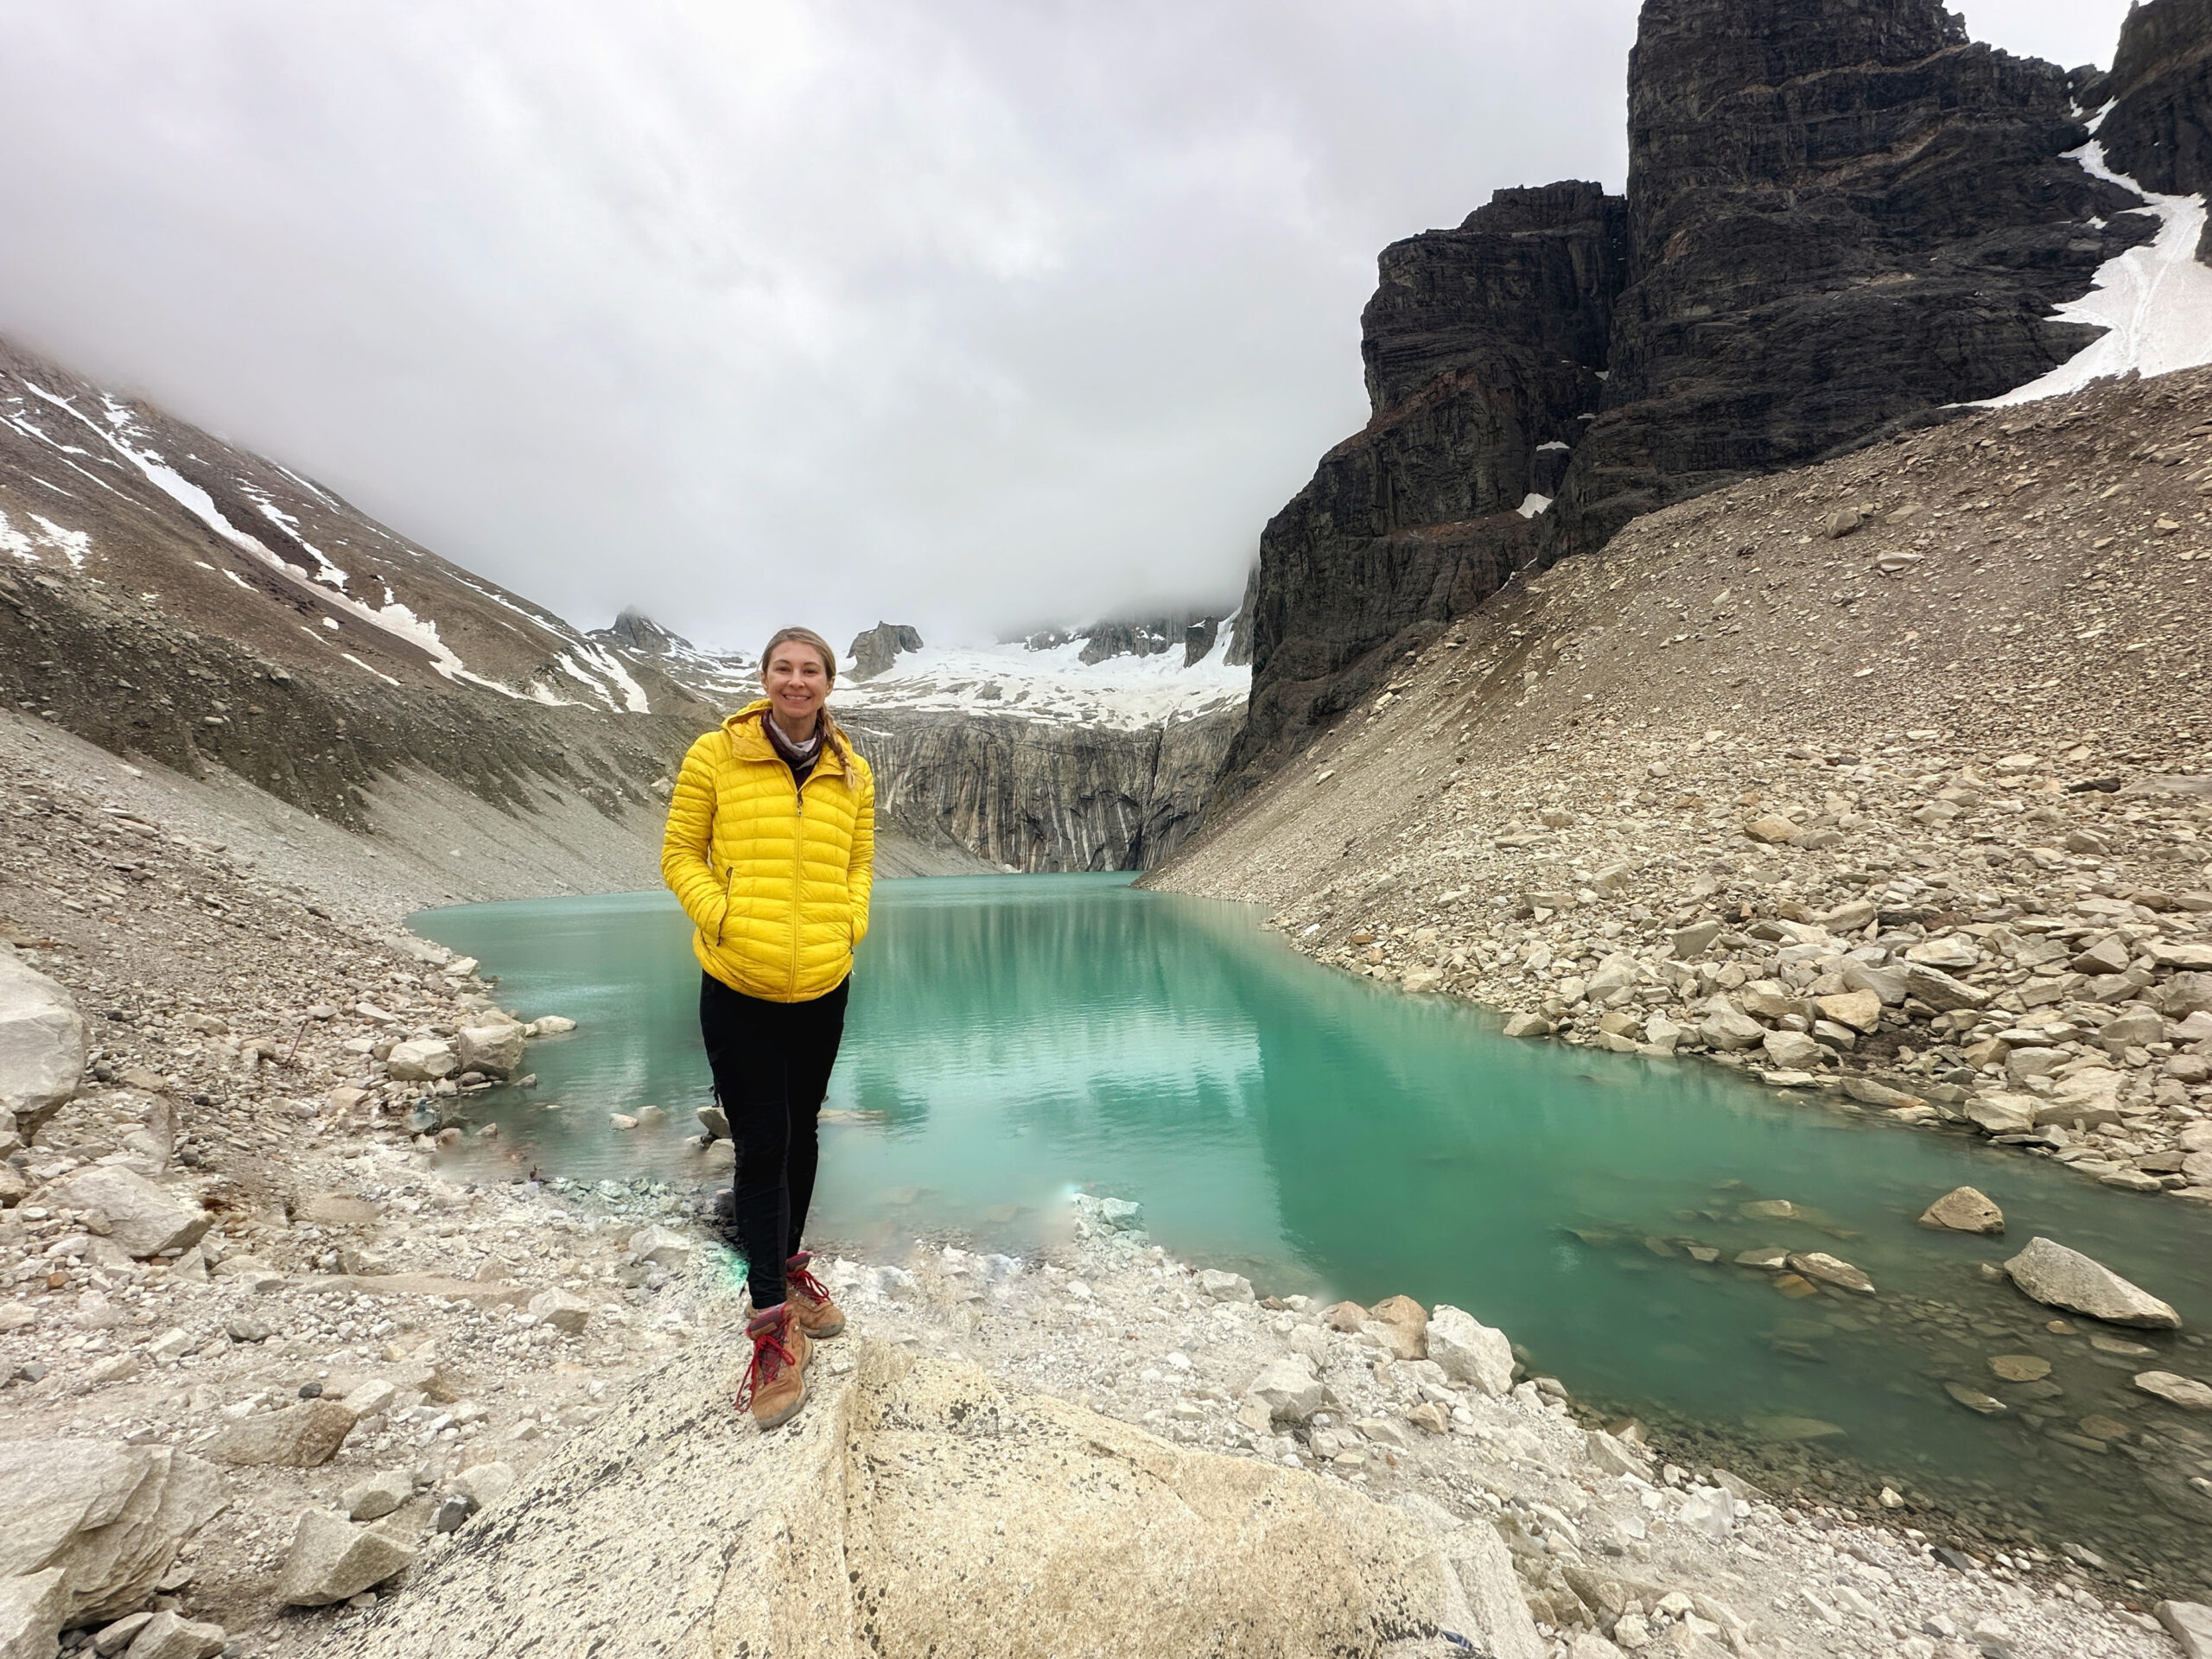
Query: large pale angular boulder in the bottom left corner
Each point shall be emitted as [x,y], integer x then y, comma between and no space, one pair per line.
[109,1519]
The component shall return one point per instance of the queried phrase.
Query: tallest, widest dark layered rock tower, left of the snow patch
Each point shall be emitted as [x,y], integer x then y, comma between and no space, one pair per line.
[1841,218]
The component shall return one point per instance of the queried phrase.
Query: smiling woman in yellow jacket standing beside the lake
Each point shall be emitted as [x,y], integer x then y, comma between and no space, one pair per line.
[771,851]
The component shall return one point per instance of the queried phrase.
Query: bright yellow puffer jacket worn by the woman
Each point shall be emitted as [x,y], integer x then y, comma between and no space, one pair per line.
[773,877]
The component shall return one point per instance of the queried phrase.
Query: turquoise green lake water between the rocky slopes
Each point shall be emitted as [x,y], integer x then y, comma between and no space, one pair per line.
[1014,1039]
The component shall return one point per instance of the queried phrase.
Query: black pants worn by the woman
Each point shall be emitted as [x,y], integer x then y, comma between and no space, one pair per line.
[771,1072]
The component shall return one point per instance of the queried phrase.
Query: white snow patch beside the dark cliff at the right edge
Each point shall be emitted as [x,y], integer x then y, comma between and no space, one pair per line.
[2156,302]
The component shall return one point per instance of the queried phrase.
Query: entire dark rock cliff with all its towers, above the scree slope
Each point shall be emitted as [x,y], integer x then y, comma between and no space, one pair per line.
[1841,218]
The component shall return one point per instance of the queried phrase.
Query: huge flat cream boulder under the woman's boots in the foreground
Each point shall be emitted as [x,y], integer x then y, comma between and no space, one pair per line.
[912,1510]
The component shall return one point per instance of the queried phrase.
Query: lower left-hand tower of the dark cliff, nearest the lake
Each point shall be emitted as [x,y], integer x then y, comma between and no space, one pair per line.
[1483,355]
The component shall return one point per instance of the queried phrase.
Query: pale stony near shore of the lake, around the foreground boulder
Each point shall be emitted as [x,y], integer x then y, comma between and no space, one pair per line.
[468,1335]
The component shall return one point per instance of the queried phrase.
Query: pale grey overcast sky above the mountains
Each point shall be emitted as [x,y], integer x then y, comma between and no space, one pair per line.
[954,313]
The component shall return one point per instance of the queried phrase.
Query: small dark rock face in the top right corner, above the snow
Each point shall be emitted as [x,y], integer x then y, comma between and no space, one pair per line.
[2160,127]
